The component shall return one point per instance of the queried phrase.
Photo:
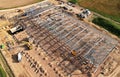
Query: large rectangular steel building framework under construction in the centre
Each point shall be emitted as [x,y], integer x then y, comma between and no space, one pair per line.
[58,33]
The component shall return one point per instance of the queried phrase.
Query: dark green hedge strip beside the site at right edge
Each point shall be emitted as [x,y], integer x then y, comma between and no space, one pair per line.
[111,27]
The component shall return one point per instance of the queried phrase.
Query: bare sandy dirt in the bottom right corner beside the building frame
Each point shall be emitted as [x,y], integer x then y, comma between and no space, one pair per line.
[111,67]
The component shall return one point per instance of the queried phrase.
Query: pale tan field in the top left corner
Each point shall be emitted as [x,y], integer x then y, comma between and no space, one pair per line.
[5,4]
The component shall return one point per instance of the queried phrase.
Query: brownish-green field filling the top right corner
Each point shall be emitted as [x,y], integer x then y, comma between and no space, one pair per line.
[107,8]
